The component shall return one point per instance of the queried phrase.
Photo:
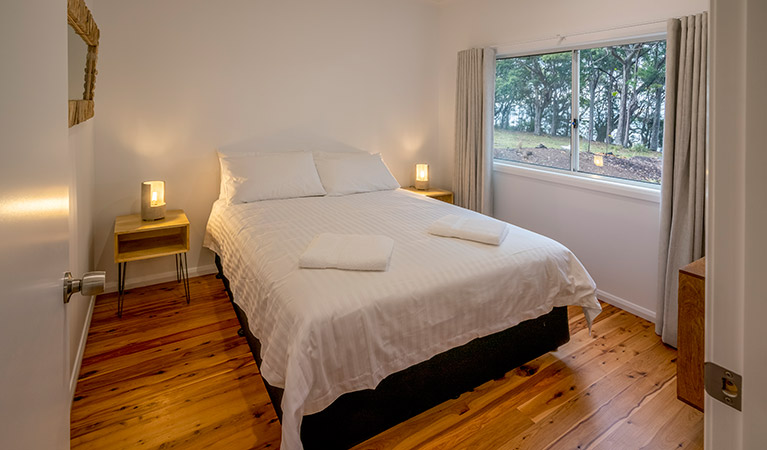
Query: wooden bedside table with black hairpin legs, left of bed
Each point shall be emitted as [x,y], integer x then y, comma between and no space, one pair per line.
[136,239]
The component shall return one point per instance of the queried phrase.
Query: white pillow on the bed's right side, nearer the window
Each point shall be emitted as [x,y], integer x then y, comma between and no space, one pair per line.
[351,173]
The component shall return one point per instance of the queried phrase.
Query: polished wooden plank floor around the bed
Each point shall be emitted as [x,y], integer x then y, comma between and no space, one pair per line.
[171,375]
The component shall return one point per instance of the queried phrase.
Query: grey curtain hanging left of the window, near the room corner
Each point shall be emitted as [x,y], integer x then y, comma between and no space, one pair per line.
[474,130]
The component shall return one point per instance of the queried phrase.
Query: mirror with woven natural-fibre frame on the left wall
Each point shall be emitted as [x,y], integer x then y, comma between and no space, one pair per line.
[82,61]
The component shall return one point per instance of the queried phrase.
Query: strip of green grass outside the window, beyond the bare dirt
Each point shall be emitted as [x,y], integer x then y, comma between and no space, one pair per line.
[520,139]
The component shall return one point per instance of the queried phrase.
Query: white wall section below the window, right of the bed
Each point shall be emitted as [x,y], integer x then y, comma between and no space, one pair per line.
[614,236]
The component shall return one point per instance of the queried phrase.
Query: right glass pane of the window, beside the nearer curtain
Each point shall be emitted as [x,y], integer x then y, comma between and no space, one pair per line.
[621,108]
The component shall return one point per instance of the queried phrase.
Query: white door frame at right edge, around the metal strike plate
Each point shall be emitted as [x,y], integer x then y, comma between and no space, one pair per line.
[736,293]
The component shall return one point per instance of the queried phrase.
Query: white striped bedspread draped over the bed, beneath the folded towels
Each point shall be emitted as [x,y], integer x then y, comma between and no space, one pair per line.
[328,332]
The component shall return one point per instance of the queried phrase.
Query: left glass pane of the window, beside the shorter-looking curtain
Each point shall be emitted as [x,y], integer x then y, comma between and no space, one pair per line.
[533,108]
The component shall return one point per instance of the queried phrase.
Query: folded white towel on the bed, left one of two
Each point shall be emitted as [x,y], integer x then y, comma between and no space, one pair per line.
[348,252]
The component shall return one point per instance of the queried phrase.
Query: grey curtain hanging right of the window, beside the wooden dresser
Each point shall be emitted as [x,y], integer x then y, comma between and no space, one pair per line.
[684,165]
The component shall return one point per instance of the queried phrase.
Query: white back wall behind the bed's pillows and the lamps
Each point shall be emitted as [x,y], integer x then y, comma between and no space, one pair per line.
[180,78]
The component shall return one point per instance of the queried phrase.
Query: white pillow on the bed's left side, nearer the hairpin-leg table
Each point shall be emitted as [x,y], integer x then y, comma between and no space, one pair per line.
[266,176]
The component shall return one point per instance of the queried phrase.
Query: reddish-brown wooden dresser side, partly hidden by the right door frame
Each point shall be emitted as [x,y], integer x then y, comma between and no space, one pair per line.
[692,312]
